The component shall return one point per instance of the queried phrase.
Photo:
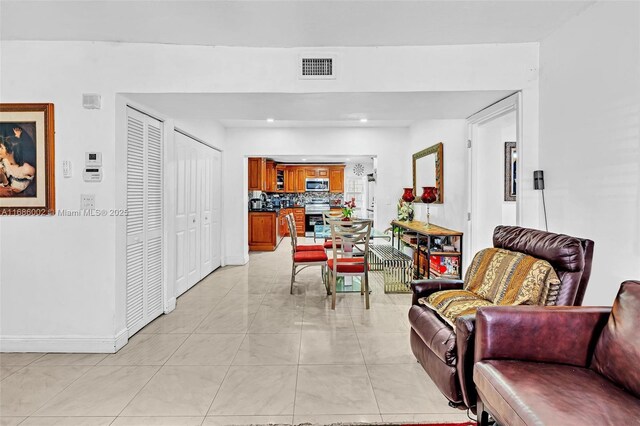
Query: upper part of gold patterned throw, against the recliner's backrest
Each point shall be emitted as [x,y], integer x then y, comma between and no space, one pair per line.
[510,278]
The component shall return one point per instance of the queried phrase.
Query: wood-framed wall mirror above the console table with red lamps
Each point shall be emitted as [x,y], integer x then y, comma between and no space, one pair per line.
[427,171]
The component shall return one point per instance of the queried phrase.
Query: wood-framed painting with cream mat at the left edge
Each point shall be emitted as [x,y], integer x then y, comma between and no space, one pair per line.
[27,167]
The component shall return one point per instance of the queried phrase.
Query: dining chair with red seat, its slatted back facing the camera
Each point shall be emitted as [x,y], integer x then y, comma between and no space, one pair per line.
[350,245]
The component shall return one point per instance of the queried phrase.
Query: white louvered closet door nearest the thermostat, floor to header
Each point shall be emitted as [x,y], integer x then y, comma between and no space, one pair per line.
[144,220]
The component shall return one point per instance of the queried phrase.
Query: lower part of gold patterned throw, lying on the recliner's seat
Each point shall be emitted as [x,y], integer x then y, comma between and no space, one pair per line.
[450,304]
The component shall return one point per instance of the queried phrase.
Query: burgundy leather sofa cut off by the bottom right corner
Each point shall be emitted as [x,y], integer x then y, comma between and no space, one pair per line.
[560,366]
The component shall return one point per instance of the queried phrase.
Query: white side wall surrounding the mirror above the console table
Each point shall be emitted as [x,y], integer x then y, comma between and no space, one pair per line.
[453,135]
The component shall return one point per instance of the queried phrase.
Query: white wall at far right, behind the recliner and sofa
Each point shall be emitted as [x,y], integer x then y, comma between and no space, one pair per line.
[590,138]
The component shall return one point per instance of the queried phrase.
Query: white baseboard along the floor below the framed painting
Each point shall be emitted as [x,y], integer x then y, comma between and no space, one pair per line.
[61,344]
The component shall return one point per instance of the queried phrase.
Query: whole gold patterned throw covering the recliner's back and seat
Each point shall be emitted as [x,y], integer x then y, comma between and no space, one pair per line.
[497,277]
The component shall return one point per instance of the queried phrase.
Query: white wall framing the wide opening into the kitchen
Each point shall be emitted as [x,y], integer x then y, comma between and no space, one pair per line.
[388,145]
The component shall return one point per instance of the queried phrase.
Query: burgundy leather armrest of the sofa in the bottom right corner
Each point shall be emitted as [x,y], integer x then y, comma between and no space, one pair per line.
[558,334]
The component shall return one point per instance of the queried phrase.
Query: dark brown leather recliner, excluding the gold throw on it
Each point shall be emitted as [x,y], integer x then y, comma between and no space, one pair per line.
[446,354]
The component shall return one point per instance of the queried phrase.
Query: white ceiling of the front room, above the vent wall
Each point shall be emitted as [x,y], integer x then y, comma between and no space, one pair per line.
[286,23]
